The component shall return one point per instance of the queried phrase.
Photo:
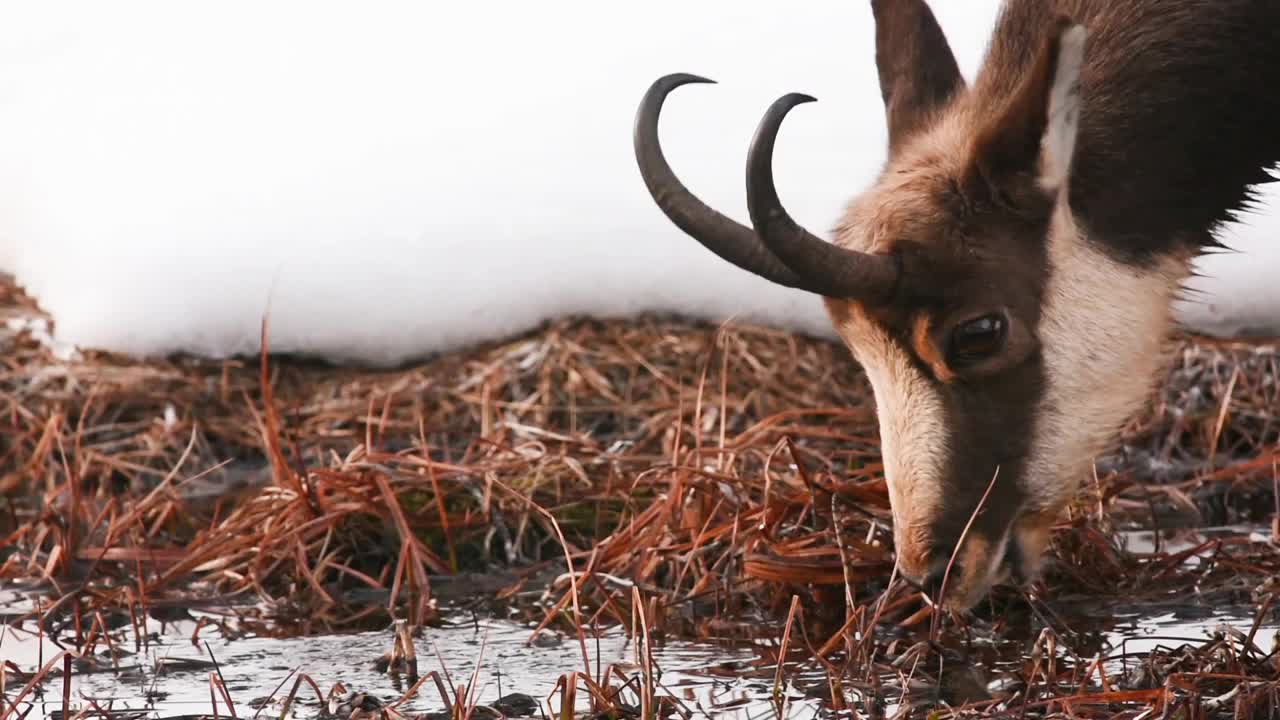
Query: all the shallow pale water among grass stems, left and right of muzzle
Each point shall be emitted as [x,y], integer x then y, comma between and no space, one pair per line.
[171,677]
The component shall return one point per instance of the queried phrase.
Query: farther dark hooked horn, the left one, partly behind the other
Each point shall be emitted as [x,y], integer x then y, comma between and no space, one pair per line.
[719,234]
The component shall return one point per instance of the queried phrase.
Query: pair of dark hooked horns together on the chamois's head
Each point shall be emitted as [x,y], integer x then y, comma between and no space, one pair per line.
[788,256]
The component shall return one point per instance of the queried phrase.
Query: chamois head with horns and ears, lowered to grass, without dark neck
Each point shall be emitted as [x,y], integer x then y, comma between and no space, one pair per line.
[1004,348]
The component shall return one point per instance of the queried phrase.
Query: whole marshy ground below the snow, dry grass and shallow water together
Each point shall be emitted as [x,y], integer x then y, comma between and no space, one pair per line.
[627,491]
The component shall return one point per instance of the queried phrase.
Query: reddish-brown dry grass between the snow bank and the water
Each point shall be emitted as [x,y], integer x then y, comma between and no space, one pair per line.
[696,479]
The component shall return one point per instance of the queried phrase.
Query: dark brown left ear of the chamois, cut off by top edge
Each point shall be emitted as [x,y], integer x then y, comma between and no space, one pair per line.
[917,71]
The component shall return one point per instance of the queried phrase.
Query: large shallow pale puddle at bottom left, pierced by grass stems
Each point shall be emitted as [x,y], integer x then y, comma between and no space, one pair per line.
[710,681]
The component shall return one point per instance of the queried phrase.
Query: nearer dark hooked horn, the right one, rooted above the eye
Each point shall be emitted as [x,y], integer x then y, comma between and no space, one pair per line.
[831,270]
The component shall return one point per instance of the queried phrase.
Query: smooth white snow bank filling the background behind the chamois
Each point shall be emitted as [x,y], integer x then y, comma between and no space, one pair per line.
[403,179]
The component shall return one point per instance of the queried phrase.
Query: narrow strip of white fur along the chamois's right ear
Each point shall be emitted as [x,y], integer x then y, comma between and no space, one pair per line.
[1064,111]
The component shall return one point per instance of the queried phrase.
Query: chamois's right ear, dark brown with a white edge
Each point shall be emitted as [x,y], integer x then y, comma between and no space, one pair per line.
[1035,133]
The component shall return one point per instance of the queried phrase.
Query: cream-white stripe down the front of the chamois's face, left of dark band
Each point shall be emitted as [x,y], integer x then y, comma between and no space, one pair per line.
[912,427]
